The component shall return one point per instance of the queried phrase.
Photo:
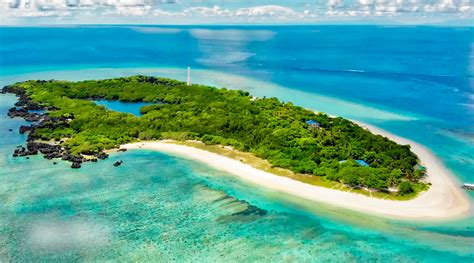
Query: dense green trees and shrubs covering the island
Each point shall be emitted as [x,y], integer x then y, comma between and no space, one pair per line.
[265,127]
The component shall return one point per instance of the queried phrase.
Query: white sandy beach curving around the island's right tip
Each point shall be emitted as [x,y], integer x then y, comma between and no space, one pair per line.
[444,200]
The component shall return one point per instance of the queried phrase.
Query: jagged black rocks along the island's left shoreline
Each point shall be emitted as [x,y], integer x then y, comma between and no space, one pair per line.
[38,116]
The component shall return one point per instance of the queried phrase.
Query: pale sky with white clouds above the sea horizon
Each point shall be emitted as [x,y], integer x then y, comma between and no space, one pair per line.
[237,12]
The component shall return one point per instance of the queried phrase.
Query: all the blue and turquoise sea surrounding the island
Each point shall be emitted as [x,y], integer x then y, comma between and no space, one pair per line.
[416,82]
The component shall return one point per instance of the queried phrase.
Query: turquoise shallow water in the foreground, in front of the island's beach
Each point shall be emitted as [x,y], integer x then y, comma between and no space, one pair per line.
[157,207]
